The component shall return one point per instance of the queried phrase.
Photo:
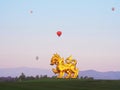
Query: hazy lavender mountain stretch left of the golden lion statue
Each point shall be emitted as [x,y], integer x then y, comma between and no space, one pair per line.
[13,72]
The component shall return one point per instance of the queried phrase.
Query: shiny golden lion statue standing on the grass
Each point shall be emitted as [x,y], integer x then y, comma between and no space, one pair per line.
[67,66]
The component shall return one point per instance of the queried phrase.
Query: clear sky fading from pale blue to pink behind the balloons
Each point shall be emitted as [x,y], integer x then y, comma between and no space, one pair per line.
[90,32]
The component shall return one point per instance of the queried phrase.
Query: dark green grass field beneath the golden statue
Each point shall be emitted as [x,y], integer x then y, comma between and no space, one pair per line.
[61,84]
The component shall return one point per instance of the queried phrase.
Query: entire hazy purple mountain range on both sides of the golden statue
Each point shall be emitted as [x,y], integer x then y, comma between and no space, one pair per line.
[13,72]
